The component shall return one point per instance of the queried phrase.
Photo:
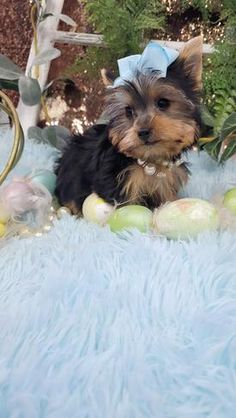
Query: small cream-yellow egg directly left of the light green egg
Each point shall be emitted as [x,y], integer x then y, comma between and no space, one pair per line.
[95,209]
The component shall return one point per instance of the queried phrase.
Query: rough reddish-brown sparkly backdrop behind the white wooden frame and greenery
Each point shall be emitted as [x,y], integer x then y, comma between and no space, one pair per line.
[79,103]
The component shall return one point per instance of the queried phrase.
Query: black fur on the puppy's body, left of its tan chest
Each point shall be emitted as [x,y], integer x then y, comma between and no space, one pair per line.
[90,164]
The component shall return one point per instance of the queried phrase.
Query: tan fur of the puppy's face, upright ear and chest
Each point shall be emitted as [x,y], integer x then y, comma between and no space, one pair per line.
[170,131]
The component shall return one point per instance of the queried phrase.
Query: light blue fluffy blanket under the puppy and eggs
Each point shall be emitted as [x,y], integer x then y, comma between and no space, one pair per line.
[93,325]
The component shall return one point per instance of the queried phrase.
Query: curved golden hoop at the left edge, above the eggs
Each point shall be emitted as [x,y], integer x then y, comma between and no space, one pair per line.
[7,106]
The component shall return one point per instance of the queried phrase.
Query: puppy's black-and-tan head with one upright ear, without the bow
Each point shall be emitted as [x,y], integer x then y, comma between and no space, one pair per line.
[157,118]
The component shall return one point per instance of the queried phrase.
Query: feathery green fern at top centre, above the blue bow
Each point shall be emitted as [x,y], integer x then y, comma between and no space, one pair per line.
[125,24]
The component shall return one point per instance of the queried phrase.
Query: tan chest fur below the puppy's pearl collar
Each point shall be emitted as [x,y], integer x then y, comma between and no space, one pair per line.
[161,189]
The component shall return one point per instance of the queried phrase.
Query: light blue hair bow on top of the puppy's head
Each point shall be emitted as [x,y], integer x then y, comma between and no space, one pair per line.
[154,58]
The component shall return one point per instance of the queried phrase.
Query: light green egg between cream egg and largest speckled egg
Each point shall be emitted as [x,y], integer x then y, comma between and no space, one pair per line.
[133,216]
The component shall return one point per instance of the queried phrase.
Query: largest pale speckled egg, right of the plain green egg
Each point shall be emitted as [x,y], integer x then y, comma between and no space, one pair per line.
[185,218]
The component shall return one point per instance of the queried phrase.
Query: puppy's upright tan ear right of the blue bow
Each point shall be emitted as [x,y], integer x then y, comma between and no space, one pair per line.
[191,59]
